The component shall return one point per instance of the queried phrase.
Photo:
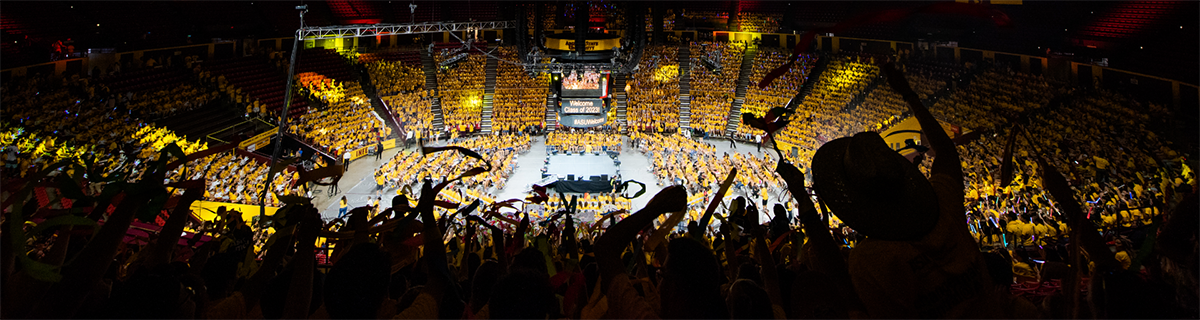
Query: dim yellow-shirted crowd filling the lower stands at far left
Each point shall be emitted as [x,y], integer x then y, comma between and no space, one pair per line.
[121,144]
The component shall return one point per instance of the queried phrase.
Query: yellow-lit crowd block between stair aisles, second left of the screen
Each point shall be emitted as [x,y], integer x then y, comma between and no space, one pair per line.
[461,93]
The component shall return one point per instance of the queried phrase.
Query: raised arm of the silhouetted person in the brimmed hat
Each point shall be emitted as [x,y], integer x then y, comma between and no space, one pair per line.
[946,158]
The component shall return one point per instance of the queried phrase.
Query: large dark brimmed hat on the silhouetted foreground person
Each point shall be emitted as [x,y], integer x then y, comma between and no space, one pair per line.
[874,190]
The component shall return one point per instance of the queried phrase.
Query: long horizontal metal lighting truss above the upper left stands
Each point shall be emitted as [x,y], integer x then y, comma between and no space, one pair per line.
[370,31]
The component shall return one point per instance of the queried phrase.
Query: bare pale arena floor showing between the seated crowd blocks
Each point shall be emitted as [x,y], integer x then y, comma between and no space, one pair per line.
[359,188]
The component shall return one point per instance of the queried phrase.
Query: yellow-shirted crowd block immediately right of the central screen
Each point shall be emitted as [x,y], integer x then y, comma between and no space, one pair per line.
[653,93]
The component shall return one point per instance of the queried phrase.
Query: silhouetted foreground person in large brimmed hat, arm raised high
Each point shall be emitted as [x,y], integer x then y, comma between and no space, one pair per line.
[919,259]
